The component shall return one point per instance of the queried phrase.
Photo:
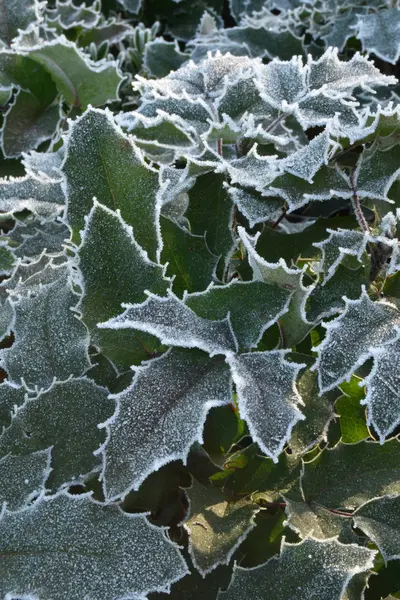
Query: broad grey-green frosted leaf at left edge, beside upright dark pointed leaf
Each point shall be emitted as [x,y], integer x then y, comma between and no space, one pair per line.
[50,340]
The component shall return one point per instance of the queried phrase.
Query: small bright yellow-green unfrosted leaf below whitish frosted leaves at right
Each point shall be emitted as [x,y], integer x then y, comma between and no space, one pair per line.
[351,413]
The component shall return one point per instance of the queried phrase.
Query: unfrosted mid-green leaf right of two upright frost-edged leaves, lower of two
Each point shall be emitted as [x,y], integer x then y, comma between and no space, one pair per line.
[188,258]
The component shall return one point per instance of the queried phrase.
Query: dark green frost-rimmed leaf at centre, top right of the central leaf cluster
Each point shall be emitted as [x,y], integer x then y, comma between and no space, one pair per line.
[253,306]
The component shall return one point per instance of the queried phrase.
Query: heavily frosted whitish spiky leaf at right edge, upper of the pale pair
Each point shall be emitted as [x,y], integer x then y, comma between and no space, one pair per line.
[351,339]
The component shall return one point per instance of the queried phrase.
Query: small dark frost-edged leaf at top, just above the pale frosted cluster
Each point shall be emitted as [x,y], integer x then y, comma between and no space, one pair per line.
[161,57]
